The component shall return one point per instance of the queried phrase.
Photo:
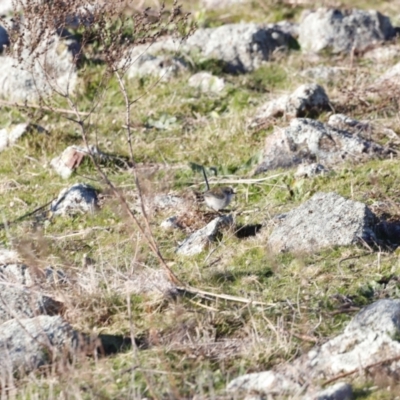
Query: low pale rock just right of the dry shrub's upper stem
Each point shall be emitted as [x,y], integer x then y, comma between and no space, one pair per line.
[161,66]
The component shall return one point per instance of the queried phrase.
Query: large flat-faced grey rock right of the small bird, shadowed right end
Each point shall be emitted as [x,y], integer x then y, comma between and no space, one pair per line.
[325,220]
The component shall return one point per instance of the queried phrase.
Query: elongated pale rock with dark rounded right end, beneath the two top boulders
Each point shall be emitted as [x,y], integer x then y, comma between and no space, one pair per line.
[304,100]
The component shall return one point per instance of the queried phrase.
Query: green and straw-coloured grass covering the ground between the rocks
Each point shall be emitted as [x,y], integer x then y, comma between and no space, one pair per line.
[195,346]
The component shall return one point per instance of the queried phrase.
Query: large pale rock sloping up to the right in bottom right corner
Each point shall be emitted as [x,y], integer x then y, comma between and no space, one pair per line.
[368,340]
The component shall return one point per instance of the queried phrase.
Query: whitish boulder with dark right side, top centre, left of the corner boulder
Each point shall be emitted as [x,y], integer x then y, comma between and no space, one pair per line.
[242,47]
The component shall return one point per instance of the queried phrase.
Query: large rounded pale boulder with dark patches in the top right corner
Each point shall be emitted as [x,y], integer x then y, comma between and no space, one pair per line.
[343,31]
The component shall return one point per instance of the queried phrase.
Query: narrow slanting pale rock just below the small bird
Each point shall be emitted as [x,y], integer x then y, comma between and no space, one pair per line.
[198,241]
